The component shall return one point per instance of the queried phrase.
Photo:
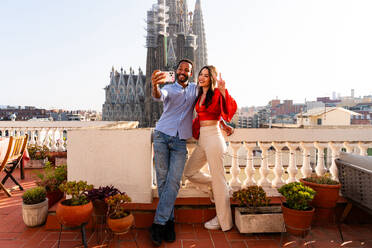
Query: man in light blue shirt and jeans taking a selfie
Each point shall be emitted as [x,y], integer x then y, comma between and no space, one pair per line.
[170,153]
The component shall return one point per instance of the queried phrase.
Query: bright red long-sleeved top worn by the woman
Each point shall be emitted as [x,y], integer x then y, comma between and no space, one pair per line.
[220,106]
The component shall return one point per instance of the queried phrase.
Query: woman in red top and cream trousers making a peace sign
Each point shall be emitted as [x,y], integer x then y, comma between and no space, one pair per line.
[212,104]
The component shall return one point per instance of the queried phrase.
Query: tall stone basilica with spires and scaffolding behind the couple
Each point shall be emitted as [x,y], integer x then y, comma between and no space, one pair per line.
[173,33]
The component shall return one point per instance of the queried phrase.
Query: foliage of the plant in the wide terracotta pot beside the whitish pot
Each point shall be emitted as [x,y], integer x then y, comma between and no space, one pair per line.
[77,191]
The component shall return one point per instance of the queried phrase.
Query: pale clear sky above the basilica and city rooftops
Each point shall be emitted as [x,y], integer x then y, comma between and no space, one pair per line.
[58,54]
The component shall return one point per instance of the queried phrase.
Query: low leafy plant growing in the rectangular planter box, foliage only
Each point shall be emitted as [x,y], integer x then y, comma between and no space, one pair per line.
[252,196]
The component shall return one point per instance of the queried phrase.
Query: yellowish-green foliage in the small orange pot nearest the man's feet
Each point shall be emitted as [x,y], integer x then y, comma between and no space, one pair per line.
[116,205]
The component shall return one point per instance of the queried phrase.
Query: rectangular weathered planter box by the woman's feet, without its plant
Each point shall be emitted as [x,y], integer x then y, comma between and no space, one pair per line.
[263,220]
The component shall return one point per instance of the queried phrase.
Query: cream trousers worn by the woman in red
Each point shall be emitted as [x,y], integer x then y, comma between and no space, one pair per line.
[211,148]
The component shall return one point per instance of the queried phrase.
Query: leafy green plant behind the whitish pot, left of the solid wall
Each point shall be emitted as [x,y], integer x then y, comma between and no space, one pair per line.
[51,177]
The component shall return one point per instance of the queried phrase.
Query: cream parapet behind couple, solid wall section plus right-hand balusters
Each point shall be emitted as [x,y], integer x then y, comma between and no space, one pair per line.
[267,157]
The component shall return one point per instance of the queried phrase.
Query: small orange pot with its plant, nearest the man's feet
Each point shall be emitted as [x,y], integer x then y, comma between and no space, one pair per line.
[118,219]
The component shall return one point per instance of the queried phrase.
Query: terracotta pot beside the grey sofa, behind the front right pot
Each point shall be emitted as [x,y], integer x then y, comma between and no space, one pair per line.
[326,195]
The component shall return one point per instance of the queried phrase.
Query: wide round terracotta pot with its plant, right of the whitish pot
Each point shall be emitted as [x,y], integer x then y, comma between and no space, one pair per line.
[77,209]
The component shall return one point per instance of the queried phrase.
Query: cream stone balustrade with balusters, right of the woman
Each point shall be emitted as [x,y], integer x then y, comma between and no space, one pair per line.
[273,157]
